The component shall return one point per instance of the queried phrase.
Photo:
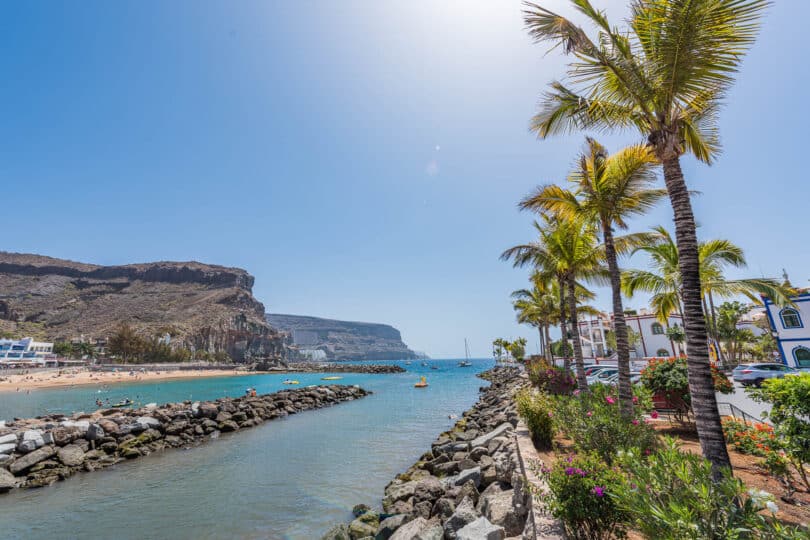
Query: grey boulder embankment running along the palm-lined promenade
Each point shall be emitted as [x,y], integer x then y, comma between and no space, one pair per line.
[468,486]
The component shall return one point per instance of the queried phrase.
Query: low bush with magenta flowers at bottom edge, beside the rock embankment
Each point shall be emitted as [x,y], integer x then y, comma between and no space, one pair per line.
[580,496]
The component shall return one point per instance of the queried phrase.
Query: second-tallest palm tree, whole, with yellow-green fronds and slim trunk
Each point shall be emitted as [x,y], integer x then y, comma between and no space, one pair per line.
[607,189]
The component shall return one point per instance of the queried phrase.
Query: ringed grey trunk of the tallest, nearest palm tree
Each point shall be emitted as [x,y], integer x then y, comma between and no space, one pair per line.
[701,385]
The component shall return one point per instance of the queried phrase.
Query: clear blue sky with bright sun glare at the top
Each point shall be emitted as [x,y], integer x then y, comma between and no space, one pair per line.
[362,159]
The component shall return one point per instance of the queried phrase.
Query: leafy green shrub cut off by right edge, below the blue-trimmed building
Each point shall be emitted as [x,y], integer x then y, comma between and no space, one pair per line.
[790,413]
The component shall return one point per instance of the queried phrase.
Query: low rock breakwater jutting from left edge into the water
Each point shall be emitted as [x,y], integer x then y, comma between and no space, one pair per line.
[40,451]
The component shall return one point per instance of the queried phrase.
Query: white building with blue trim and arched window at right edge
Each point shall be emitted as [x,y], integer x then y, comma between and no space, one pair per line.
[791,328]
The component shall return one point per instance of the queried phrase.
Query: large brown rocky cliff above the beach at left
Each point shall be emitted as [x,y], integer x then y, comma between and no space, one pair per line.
[206,307]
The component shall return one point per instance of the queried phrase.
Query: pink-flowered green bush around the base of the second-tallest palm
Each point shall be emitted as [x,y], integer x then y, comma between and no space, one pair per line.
[595,424]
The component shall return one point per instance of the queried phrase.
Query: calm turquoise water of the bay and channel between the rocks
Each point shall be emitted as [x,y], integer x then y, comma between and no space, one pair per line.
[287,479]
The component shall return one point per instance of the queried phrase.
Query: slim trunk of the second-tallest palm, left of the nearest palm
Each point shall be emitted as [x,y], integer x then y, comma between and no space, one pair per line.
[619,325]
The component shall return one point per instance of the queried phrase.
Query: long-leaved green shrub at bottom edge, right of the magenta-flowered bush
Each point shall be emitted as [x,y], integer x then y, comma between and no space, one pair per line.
[671,495]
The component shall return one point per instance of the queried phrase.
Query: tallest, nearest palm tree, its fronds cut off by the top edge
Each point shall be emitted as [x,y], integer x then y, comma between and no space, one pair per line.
[666,77]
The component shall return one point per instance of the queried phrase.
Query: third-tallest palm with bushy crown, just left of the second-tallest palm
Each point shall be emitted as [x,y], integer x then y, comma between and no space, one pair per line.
[568,250]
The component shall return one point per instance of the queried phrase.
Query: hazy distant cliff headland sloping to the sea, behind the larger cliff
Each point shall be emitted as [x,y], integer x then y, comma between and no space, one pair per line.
[344,340]
